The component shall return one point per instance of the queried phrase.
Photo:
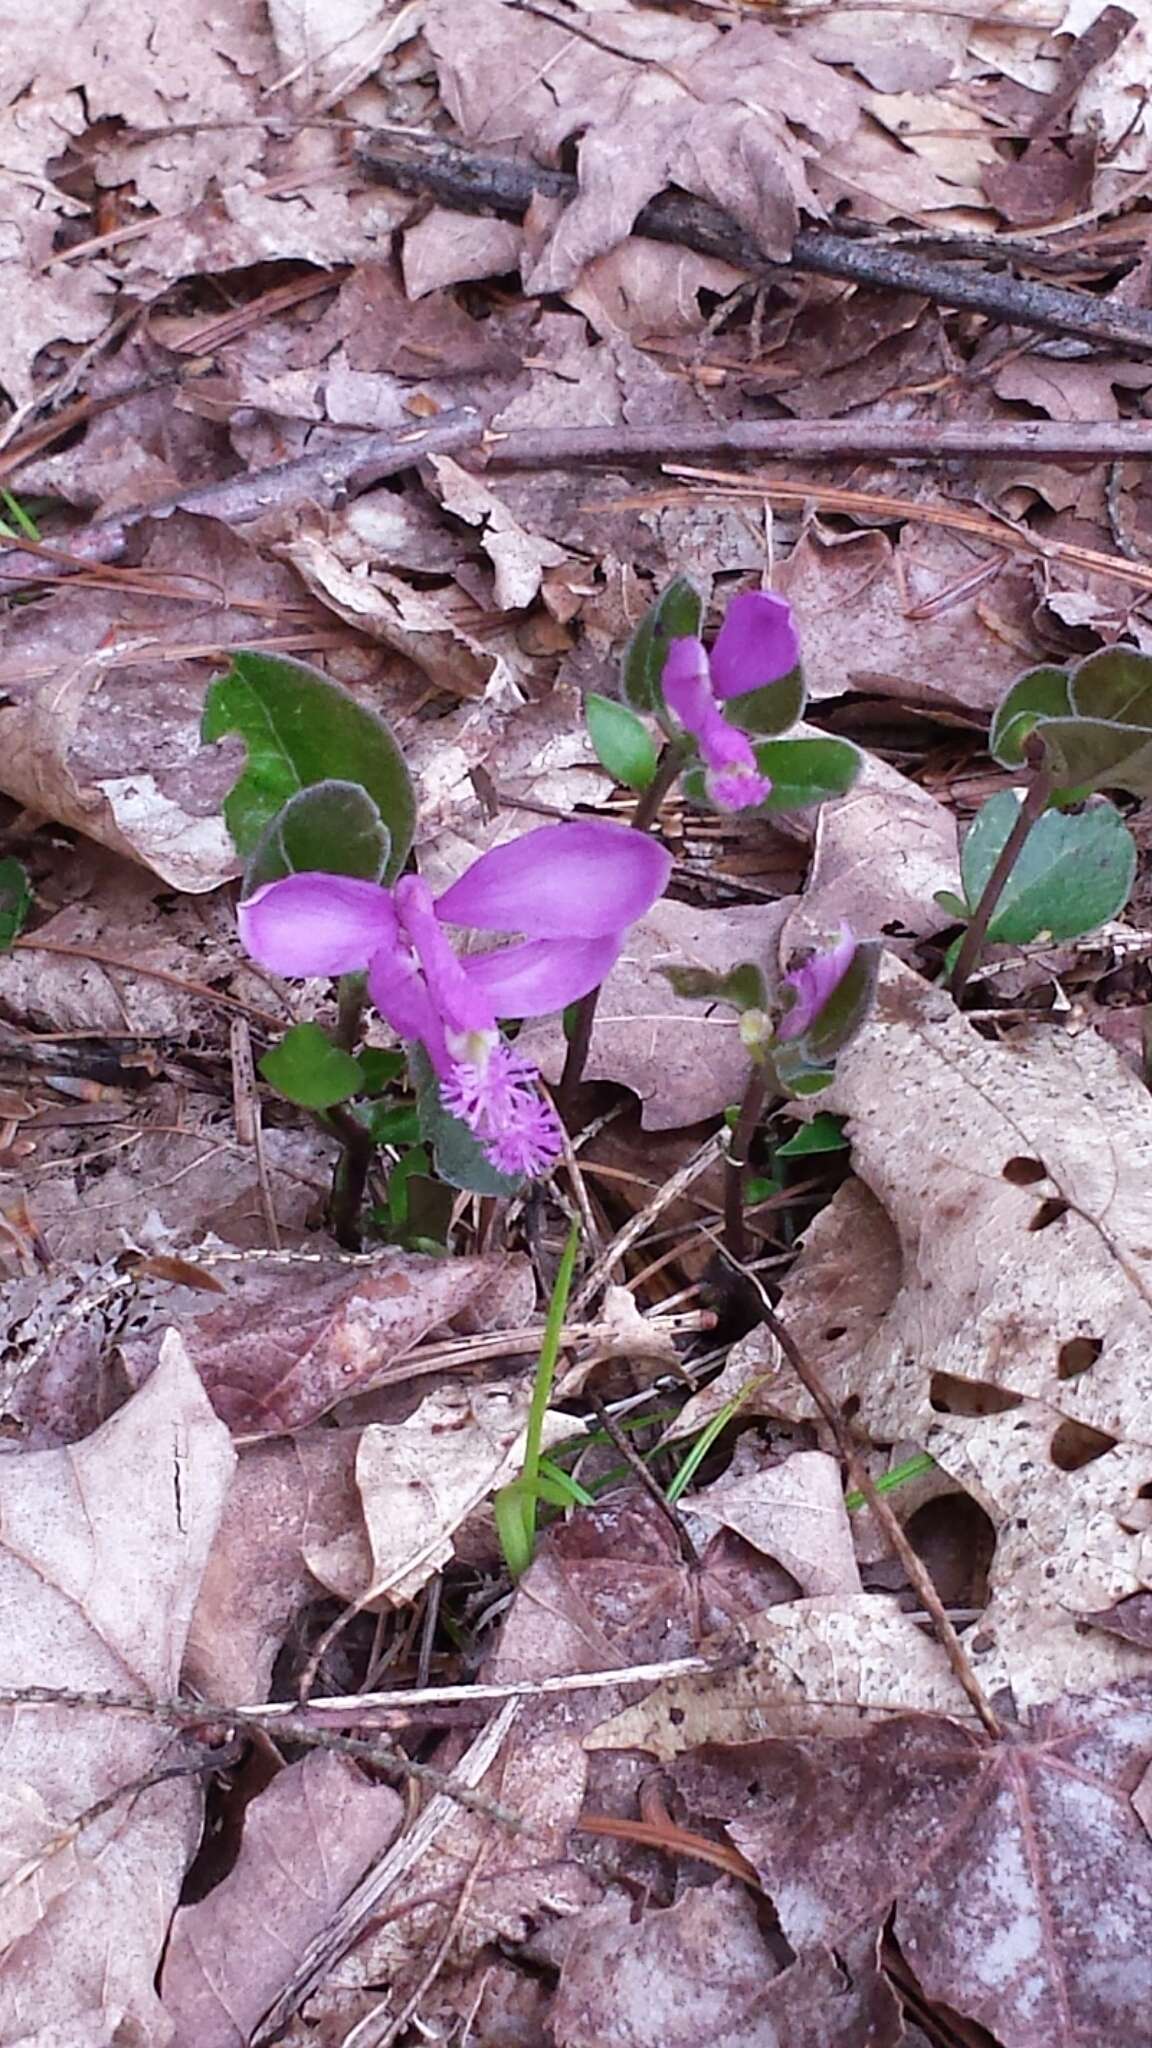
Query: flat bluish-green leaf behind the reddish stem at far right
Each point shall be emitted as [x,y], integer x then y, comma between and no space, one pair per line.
[1071,876]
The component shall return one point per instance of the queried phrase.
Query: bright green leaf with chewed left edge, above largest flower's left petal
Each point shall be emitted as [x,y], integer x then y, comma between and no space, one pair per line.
[300,728]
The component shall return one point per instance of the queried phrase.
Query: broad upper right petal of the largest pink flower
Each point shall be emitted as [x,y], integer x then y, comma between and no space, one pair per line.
[563,882]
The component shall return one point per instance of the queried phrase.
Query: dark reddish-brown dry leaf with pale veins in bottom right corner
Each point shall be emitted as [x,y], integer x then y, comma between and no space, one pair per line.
[1020,1869]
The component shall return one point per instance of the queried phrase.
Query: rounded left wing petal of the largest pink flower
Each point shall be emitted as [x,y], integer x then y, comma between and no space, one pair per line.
[317,925]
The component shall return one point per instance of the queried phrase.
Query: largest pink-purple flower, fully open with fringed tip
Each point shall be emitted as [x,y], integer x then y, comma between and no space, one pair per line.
[569,890]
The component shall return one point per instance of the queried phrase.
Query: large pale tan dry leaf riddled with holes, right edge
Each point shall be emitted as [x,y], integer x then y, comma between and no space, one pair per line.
[1018,1345]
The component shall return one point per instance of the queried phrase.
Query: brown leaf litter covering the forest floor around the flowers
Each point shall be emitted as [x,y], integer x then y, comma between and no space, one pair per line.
[249,1474]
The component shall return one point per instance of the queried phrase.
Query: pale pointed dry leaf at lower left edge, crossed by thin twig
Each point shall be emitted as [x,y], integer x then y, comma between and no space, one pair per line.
[101,1555]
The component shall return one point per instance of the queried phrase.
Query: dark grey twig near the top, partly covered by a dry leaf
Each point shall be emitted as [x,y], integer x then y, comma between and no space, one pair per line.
[507,185]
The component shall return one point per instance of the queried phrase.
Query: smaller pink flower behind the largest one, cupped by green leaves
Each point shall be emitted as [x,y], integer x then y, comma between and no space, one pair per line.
[755,646]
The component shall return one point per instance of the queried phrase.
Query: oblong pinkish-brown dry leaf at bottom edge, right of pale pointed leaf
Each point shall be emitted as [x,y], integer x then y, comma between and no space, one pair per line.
[308,1840]
